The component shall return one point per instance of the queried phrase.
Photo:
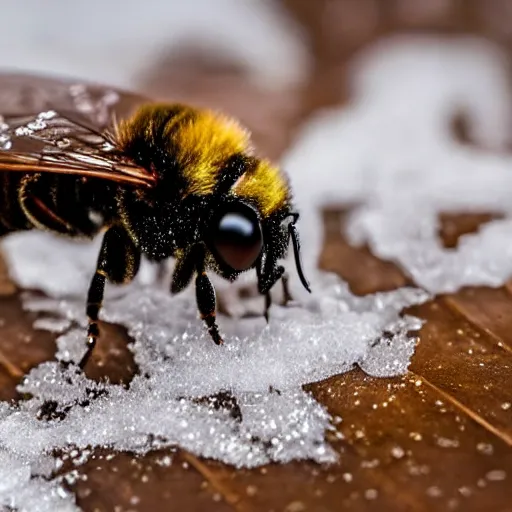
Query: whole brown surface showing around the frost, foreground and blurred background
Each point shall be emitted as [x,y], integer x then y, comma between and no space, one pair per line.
[438,438]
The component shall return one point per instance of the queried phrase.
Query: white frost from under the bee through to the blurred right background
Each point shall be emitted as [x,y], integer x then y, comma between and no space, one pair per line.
[243,403]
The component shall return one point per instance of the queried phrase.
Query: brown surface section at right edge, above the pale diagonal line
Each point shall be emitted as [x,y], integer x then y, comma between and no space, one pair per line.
[467,366]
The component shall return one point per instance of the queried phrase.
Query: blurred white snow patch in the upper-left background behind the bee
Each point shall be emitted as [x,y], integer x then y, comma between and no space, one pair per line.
[129,37]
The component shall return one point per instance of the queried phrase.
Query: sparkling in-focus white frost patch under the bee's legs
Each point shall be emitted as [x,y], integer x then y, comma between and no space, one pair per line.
[241,403]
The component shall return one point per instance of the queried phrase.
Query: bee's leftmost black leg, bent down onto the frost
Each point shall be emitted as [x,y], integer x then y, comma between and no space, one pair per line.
[119,262]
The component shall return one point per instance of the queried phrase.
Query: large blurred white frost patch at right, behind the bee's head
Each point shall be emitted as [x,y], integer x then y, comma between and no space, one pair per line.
[394,155]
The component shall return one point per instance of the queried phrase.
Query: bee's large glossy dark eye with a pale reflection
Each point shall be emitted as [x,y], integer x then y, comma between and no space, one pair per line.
[238,240]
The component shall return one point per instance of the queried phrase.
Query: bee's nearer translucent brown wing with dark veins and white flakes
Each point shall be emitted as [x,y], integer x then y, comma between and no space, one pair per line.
[64,143]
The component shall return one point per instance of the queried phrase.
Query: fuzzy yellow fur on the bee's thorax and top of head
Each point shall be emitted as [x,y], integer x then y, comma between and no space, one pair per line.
[201,143]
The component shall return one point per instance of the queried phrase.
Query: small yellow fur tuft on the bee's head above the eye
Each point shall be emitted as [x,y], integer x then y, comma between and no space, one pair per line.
[264,185]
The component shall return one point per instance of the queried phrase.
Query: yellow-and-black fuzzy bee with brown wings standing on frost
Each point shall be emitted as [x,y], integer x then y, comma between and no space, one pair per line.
[159,180]
